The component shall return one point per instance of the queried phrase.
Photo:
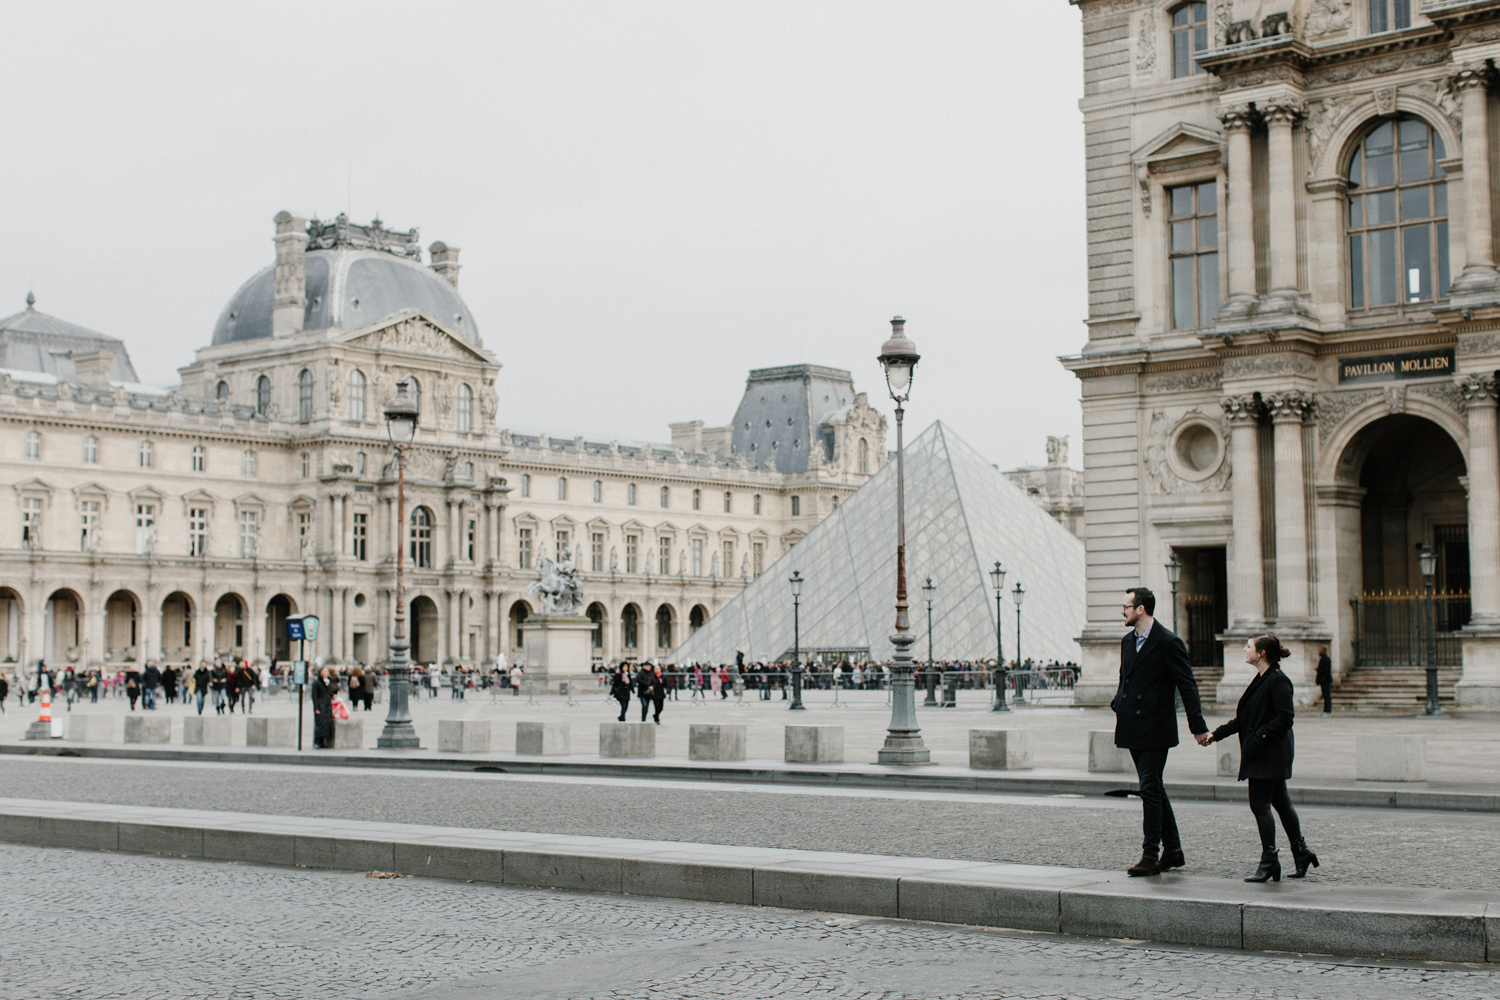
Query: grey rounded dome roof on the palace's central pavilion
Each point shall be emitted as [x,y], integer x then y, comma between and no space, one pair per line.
[349,289]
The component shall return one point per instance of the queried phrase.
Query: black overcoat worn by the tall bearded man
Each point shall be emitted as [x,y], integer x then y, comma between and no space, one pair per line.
[1145,705]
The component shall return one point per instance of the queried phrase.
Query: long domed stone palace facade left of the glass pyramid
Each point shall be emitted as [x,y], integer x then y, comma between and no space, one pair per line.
[181,524]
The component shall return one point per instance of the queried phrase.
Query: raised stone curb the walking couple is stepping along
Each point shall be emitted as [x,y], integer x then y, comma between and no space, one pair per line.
[1307,918]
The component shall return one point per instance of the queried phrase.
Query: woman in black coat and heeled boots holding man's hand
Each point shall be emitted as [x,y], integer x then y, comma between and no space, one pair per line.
[1264,722]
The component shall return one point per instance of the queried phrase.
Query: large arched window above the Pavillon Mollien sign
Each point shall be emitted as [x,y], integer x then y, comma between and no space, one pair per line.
[1397,217]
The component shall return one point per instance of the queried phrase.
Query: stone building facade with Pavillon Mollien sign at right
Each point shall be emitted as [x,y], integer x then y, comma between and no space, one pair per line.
[1289,379]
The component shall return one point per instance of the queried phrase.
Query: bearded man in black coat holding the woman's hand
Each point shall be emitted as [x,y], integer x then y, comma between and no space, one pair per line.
[1154,669]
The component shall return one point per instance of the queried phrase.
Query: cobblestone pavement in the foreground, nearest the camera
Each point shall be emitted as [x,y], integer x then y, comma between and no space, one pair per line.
[107,926]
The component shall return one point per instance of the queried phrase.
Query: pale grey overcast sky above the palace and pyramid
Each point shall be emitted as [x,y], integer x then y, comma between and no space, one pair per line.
[652,199]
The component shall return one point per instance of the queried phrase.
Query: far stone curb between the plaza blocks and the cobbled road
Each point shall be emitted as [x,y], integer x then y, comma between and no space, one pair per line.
[932,779]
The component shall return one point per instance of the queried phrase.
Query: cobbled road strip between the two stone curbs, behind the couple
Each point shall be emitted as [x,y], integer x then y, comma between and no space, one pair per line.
[1456,851]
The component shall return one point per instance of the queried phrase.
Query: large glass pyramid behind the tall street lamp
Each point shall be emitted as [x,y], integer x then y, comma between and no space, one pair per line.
[962,515]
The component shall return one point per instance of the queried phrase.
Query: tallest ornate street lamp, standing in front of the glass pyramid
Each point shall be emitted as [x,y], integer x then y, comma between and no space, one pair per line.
[904,740]
